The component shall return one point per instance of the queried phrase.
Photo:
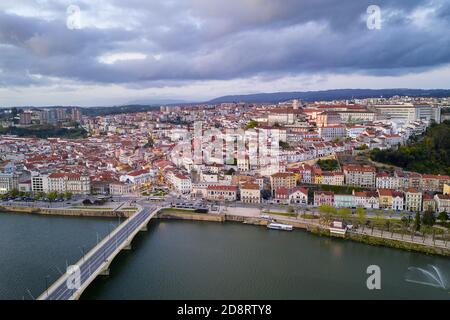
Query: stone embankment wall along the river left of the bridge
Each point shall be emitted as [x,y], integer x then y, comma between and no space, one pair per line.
[66,212]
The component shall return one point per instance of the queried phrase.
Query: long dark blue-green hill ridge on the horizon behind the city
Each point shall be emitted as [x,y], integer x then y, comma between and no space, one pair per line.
[337,94]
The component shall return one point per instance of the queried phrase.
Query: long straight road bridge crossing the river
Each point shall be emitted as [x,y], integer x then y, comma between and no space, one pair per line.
[96,262]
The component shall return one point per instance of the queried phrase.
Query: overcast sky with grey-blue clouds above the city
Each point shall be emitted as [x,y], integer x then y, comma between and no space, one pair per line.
[106,52]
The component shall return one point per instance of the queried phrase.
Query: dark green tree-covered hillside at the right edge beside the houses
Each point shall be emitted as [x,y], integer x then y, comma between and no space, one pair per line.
[427,154]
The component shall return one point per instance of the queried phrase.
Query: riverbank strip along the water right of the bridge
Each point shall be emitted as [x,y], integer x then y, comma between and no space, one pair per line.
[304,224]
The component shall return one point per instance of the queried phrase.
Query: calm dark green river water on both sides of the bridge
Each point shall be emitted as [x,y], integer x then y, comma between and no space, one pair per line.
[207,260]
